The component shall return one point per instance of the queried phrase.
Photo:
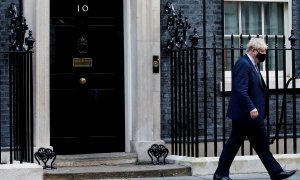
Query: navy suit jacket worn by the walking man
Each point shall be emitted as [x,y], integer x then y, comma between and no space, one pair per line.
[248,92]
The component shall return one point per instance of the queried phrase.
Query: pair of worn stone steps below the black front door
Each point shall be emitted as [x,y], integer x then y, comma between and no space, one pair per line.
[109,165]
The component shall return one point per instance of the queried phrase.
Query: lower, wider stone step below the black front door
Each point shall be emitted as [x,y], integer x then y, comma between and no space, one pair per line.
[117,171]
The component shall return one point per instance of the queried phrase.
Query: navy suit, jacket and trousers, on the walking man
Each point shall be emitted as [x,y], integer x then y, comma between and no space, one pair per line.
[248,92]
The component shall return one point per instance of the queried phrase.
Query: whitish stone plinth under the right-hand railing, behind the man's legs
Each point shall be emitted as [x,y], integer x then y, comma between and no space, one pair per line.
[241,164]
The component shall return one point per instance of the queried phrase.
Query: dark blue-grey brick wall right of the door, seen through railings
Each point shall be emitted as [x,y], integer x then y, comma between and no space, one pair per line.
[193,9]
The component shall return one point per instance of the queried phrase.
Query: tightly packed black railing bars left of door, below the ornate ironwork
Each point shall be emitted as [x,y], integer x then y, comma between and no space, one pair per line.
[21,106]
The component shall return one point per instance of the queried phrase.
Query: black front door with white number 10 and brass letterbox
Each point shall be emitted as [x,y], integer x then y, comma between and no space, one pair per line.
[87,79]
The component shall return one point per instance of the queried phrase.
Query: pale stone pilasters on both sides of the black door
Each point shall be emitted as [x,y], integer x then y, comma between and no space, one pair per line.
[142,86]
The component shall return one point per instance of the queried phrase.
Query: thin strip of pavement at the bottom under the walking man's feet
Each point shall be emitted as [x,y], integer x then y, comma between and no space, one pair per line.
[252,176]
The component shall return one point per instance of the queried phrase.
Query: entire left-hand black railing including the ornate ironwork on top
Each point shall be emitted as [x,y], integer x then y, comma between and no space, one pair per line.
[16,120]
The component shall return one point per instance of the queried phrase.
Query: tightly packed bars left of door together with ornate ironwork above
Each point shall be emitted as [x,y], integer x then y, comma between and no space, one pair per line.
[20,84]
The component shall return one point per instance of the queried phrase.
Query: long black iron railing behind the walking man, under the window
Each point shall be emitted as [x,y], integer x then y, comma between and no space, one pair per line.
[200,93]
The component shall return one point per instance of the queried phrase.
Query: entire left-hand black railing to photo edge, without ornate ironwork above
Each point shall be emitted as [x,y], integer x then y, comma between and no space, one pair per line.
[17,103]
